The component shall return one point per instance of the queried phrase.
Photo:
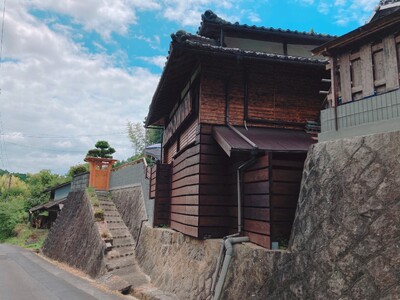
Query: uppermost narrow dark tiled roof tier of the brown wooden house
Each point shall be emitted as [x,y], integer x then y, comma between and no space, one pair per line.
[210,17]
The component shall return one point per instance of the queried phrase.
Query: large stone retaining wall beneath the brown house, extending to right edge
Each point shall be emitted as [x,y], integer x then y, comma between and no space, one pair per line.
[345,243]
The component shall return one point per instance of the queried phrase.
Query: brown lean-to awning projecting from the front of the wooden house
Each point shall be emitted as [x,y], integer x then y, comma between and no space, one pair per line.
[263,139]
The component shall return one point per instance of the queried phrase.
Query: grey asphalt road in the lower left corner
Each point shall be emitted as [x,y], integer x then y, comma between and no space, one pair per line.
[25,275]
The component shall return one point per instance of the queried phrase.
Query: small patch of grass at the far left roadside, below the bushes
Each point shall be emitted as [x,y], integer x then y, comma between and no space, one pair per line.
[27,237]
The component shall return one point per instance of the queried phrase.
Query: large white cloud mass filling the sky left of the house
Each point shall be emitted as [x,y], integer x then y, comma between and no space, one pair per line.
[53,87]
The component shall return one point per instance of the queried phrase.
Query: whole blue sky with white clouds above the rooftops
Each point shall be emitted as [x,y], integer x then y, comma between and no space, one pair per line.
[76,71]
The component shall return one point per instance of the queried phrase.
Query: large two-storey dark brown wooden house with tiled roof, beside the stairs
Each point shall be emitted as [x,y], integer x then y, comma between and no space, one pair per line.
[233,101]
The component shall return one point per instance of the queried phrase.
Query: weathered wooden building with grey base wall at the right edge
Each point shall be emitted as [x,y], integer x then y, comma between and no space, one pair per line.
[364,64]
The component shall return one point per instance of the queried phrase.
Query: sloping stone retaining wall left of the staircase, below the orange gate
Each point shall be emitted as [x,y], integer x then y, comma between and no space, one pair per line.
[74,238]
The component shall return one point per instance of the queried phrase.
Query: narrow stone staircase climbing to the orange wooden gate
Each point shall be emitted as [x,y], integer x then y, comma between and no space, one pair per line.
[123,272]
